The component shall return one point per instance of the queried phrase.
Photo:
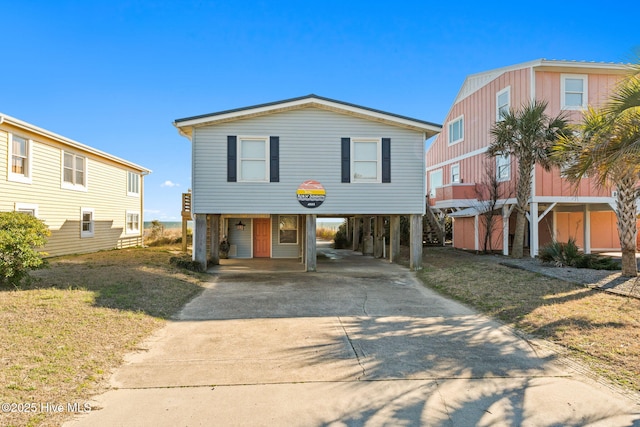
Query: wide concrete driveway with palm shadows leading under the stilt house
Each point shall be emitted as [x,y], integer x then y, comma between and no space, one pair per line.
[361,342]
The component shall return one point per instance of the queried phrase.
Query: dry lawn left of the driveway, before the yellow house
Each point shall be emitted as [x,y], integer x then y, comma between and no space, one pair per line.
[64,333]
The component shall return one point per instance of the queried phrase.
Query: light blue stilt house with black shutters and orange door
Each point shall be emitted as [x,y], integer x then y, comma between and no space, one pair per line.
[262,175]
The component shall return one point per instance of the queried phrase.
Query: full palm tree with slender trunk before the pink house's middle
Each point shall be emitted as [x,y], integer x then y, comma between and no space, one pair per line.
[528,135]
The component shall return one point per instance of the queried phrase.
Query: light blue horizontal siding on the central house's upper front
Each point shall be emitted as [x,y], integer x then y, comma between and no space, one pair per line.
[309,150]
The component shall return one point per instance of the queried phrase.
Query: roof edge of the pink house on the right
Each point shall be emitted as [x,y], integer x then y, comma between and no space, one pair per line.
[474,82]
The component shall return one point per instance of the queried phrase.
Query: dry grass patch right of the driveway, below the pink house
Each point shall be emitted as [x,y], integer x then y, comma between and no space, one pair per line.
[601,329]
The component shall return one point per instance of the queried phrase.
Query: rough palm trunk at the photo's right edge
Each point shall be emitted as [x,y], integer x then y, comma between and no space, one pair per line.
[627,228]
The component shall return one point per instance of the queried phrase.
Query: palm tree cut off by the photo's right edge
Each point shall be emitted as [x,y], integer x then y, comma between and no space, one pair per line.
[606,145]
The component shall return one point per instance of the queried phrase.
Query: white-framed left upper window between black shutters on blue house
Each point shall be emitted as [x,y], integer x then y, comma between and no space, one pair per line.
[253,159]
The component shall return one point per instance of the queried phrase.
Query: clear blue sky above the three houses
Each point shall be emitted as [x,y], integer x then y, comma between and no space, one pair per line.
[115,74]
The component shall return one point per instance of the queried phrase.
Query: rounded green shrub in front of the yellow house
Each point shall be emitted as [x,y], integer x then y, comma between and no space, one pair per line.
[20,235]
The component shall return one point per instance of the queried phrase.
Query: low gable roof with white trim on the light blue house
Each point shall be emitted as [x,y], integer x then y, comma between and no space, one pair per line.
[185,125]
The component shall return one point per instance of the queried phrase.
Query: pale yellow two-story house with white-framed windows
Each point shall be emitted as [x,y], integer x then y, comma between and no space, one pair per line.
[90,200]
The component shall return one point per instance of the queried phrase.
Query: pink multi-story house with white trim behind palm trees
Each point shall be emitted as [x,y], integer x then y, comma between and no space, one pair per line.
[457,162]
